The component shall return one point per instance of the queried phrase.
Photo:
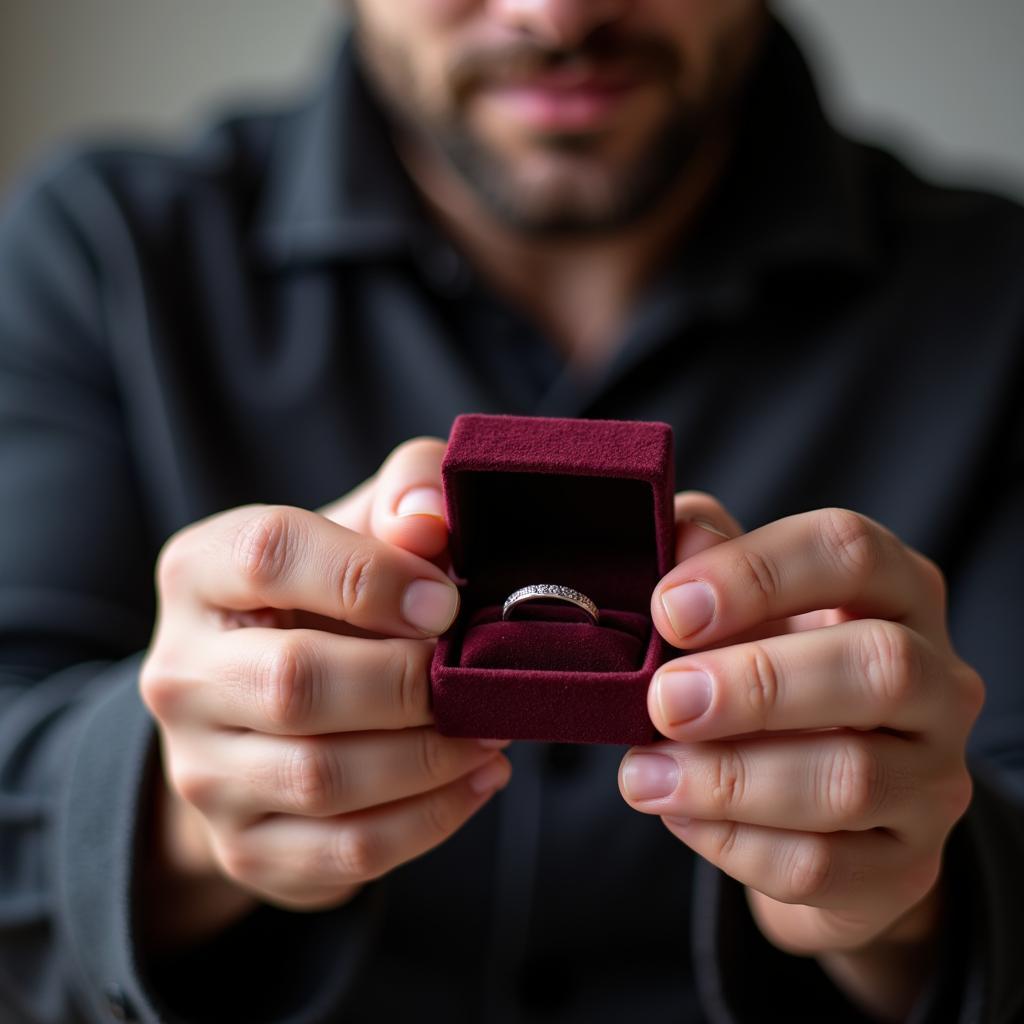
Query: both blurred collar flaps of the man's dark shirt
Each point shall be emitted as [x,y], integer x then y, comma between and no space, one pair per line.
[795,194]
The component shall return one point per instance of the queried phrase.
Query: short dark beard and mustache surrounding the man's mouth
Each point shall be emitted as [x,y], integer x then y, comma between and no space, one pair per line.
[579,189]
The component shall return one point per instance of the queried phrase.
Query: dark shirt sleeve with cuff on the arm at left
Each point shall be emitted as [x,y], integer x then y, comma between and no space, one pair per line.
[77,607]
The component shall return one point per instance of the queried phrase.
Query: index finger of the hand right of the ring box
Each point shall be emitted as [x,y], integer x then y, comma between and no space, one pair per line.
[831,559]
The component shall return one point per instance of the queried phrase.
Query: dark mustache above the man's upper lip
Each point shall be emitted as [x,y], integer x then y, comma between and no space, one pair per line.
[648,56]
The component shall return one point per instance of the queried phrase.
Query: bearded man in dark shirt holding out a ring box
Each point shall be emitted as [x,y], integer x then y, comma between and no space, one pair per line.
[227,800]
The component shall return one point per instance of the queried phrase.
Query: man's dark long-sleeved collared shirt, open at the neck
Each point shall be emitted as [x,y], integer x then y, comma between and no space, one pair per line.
[263,317]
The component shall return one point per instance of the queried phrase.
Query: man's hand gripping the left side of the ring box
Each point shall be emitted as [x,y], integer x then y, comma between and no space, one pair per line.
[289,677]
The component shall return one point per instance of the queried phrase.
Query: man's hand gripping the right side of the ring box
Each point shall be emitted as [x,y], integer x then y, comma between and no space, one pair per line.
[817,731]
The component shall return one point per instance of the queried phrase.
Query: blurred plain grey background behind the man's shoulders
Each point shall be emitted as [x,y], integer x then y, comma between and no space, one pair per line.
[942,80]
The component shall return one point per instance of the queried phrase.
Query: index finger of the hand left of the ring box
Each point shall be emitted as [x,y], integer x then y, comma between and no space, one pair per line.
[283,558]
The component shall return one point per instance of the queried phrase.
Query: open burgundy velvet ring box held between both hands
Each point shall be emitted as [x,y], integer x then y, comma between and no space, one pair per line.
[586,504]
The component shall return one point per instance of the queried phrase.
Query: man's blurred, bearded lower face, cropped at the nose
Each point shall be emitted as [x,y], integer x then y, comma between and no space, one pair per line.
[563,116]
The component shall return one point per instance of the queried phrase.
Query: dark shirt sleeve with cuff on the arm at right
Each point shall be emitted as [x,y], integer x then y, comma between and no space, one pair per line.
[978,977]
